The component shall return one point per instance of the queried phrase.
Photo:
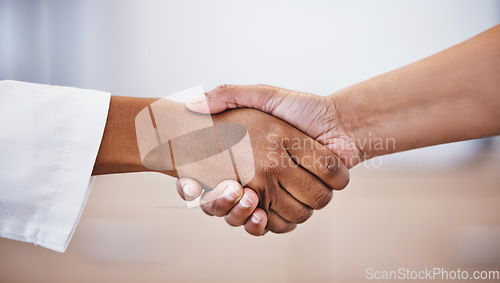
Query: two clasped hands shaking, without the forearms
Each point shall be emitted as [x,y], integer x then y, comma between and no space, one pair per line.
[289,160]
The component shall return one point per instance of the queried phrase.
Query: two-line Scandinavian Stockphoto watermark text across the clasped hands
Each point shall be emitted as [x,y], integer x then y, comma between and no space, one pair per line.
[301,144]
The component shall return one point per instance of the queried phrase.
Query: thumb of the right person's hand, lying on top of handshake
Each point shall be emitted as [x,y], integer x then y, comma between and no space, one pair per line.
[233,96]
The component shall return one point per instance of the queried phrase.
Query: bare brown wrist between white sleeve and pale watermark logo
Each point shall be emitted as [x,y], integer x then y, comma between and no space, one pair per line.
[119,152]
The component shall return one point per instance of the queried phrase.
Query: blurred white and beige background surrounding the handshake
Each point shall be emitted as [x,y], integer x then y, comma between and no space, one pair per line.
[435,207]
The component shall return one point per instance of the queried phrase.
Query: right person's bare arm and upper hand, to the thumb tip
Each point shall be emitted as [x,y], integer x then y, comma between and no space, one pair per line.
[451,96]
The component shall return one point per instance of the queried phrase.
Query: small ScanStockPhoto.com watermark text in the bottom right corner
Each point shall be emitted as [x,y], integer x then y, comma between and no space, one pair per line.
[436,273]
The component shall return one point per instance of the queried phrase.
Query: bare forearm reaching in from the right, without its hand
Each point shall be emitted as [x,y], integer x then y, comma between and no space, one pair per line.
[451,96]
